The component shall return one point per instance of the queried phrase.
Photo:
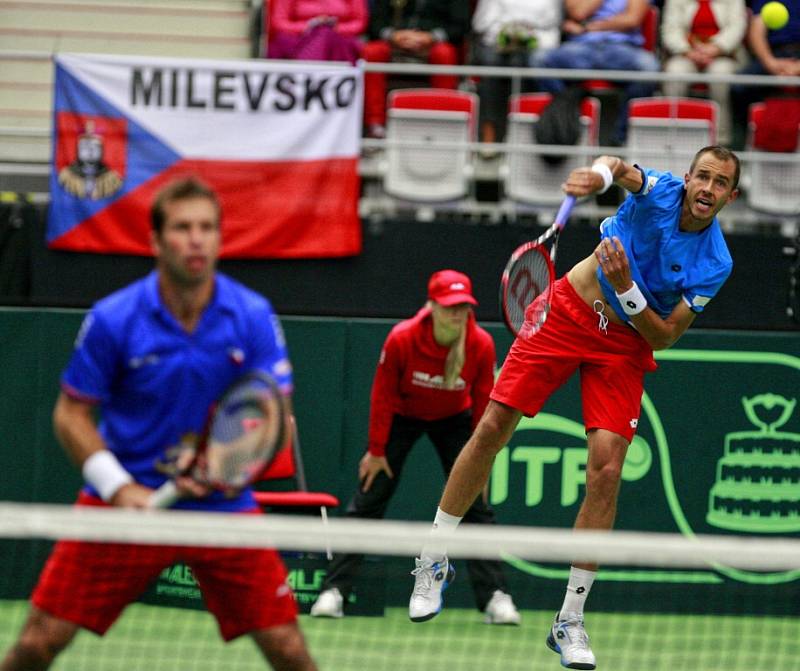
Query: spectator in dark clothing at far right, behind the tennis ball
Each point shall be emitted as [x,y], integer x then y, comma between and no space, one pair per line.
[776,52]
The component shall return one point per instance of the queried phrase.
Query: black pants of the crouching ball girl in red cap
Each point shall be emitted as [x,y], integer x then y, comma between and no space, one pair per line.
[448,436]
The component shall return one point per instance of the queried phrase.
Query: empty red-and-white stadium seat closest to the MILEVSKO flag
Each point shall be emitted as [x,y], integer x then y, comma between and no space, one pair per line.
[426,173]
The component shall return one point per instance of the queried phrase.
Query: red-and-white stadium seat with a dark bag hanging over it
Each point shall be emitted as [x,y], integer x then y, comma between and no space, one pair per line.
[527,177]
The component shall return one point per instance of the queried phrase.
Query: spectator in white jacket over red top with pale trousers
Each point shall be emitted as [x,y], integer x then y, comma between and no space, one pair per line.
[705,36]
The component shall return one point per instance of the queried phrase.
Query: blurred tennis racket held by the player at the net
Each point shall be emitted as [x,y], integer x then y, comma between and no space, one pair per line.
[246,428]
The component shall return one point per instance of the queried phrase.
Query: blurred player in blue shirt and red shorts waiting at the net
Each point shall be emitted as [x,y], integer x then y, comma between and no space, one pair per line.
[152,358]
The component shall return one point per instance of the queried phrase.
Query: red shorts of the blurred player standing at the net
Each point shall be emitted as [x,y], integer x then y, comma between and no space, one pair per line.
[90,583]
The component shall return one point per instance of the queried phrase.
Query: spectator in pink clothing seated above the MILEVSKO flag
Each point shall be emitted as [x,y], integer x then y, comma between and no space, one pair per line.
[317,30]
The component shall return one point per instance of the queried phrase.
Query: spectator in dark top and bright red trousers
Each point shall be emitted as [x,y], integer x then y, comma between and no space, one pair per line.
[424,31]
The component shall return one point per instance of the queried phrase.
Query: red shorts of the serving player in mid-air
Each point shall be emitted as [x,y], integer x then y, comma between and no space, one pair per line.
[612,365]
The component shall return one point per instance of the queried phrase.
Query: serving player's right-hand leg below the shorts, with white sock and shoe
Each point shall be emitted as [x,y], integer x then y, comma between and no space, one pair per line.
[598,511]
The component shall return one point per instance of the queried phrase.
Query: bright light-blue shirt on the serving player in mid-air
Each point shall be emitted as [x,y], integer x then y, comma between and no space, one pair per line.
[668,264]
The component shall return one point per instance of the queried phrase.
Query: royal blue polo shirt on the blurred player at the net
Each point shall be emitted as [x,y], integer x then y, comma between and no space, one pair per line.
[154,382]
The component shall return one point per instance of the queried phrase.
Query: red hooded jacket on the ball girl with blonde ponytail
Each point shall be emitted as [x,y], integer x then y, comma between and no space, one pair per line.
[410,372]
